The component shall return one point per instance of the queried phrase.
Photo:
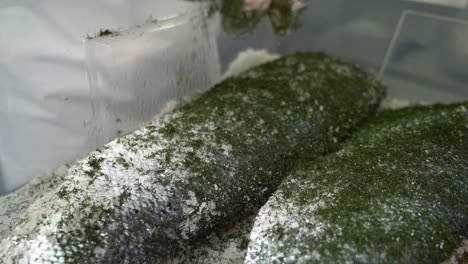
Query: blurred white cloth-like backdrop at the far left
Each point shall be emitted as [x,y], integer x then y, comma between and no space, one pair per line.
[45,108]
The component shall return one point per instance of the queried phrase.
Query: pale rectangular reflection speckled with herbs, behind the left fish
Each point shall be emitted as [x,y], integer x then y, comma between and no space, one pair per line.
[137,73]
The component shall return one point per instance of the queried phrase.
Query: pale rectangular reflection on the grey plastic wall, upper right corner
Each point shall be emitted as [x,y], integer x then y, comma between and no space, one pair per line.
[428,65]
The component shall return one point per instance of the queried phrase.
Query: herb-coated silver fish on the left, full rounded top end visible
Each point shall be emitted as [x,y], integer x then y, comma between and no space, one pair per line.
[197,168]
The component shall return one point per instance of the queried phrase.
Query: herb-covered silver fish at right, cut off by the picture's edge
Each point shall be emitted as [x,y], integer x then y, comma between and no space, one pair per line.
[395,193]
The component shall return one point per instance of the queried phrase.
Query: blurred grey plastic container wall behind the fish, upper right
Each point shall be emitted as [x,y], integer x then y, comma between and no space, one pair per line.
[419,48]
